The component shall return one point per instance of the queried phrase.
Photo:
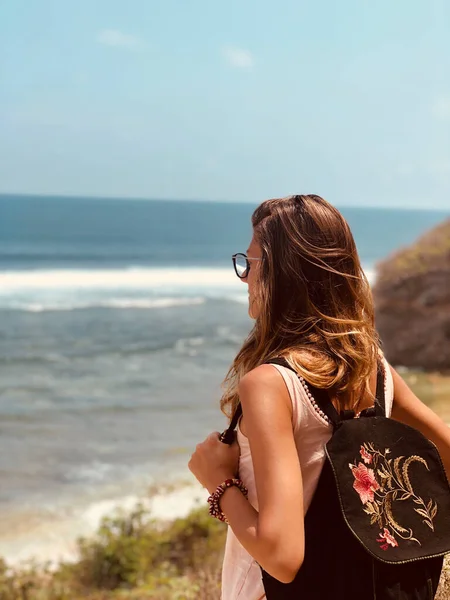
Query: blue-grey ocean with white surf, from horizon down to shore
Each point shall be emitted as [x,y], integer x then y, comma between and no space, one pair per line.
[118,322]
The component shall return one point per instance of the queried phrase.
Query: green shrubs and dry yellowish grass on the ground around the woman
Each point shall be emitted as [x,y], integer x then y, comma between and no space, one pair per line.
[133,557]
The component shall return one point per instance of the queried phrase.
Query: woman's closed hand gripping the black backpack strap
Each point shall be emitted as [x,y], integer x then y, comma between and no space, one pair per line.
[213,461]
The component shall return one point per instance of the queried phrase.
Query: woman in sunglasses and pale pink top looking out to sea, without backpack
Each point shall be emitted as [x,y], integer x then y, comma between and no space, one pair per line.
[312,305]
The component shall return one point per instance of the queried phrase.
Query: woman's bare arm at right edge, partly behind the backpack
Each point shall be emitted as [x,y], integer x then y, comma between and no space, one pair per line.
[408,409]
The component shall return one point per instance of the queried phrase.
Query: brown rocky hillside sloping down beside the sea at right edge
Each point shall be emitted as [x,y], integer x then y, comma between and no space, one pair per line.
[412,301]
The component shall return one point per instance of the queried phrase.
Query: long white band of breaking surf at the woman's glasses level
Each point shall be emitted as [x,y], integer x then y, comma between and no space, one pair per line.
[150,288]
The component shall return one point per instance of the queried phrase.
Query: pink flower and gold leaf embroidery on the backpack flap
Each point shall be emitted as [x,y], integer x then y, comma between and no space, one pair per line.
[380,481]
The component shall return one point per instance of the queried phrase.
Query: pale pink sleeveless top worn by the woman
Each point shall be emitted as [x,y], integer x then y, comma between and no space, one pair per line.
[241,574]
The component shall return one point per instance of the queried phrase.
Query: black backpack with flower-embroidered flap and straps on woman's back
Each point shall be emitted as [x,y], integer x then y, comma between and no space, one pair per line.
[378,525]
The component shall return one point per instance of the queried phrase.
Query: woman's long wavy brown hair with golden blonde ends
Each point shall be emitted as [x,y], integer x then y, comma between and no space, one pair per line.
[315,303]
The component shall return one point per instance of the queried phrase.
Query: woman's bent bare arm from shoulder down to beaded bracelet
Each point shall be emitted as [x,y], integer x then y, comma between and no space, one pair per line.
[274,536]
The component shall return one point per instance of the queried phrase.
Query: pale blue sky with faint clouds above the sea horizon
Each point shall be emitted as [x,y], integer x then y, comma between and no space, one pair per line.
[238,100]
